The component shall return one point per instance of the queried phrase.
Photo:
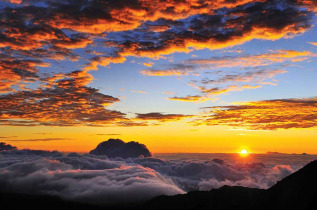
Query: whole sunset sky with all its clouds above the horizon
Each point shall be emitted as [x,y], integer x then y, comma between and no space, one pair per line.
[180,76]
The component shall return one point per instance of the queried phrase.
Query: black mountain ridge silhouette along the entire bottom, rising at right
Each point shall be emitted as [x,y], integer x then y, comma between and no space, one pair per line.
[297,191]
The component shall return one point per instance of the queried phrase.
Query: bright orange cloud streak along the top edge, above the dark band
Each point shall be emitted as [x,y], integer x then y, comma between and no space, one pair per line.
[99,17]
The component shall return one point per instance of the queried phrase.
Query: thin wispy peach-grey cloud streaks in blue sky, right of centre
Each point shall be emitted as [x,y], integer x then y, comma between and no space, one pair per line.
[248,78]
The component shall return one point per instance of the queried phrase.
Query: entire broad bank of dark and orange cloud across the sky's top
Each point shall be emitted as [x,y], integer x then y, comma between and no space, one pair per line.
[176,25]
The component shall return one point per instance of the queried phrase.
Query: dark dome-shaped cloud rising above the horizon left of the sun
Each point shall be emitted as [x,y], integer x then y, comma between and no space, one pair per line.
[118,148]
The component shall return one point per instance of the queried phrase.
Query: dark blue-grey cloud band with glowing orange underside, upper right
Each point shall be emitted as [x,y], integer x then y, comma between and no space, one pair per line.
[221,28]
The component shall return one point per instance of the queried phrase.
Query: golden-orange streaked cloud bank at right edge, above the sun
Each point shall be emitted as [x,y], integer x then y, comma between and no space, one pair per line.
[265,115]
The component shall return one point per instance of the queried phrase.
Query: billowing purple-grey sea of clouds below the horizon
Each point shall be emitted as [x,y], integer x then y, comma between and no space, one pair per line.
[101,180]
